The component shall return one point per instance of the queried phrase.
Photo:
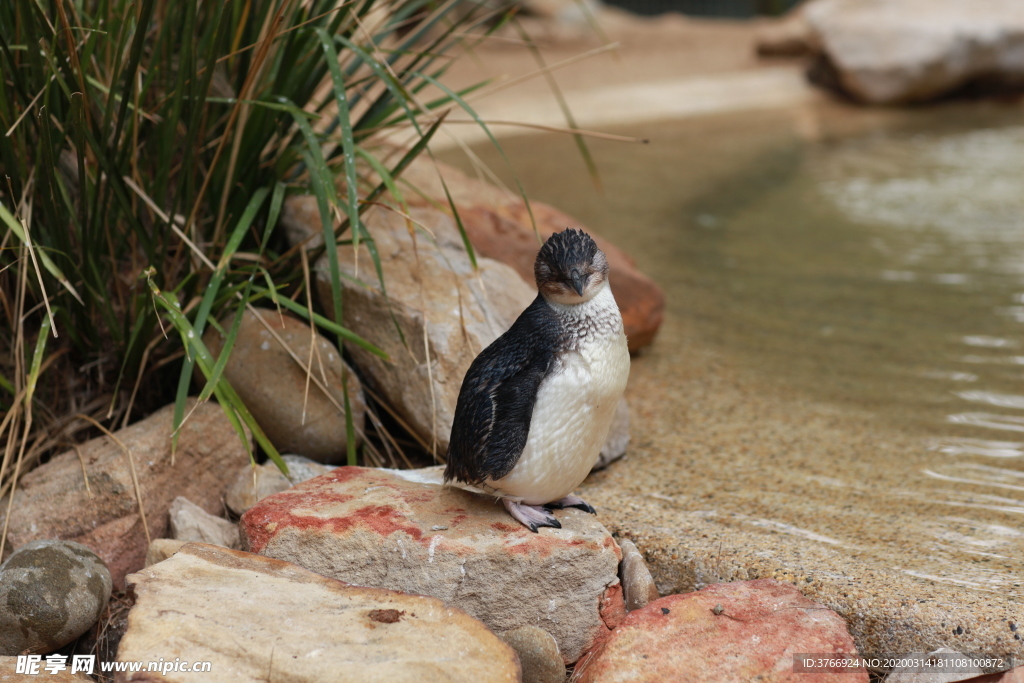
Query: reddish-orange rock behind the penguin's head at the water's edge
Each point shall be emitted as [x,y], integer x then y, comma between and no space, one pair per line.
[500,228]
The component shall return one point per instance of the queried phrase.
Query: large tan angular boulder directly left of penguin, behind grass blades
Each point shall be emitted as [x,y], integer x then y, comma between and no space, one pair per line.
[431,285]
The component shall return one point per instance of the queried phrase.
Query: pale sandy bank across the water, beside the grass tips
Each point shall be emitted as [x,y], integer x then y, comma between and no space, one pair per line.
[659,68]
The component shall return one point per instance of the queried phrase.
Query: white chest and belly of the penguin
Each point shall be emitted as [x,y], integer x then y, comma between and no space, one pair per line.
[574,410]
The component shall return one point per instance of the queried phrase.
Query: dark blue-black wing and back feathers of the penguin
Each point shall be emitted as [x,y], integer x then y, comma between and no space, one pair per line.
[496,404]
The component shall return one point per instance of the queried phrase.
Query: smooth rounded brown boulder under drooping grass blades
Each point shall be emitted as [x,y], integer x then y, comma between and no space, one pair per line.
[296,416]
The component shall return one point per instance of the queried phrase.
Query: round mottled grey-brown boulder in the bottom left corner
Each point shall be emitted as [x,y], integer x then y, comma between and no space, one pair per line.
[51,593]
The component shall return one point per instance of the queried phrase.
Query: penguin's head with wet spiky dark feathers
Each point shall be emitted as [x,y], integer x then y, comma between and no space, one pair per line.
[570,268]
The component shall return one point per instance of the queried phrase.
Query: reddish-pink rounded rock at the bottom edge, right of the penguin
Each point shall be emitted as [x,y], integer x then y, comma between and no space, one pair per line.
[761,625]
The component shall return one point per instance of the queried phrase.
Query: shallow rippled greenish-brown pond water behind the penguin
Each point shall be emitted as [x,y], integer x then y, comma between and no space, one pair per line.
[870,264]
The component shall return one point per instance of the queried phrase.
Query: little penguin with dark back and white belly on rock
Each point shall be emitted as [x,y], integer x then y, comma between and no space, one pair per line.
[536,406]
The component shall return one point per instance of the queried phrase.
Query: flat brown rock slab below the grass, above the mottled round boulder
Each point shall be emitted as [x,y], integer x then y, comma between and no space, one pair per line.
[53,501]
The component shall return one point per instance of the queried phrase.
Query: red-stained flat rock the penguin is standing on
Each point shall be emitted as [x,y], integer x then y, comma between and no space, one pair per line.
[374,528]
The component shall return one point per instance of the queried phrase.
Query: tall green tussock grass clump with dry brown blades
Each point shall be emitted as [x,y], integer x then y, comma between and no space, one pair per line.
[147,148]
